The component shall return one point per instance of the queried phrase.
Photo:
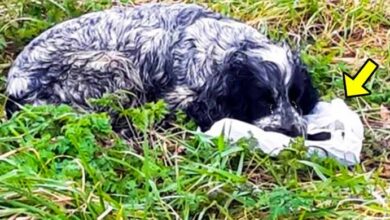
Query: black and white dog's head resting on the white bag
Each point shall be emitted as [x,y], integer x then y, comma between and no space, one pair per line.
[270,88]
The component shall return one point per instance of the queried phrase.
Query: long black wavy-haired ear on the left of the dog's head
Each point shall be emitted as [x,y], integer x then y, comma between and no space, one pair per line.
[222,92]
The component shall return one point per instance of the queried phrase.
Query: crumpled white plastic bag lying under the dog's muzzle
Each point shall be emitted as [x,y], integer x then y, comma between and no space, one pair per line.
[344,126]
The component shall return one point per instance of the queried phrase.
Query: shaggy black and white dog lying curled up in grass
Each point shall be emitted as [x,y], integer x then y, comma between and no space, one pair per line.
[197,60]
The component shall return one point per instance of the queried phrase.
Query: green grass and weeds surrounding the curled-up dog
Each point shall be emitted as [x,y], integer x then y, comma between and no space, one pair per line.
[56,163]
